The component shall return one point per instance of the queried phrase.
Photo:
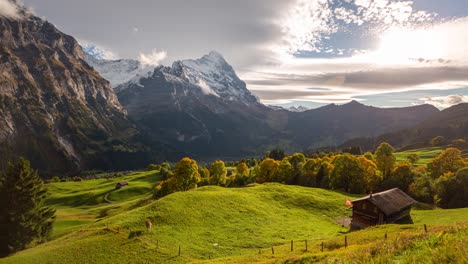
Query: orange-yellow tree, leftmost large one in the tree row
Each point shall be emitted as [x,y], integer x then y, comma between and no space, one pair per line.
[186,175]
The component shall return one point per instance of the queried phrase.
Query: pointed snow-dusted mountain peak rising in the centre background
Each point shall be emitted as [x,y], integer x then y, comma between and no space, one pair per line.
[201,107]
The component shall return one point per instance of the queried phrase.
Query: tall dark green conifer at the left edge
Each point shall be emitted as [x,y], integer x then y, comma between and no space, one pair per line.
[24,220]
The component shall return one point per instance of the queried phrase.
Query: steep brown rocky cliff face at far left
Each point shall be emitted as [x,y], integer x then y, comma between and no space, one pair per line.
[55,109]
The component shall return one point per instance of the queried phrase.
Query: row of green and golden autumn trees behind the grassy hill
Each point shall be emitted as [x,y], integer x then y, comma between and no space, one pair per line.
[442,182]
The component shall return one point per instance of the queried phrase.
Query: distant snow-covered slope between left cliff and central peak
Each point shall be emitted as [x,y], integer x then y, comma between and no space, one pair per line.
[117,72]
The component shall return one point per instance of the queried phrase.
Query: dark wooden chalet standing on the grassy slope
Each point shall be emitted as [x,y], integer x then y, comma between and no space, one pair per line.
[381,208]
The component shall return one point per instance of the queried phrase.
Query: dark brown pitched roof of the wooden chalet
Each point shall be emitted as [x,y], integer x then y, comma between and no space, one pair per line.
[390,201]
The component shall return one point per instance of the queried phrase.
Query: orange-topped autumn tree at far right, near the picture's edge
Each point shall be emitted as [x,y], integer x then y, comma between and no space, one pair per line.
[450,160]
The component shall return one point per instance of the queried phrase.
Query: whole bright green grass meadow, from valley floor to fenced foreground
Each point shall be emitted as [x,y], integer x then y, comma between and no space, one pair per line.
[220,225]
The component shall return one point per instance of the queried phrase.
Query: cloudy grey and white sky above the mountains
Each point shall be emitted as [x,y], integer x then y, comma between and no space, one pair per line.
[385,53]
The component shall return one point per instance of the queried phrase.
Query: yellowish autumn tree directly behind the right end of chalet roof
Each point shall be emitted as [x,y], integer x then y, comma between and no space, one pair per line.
[401,177]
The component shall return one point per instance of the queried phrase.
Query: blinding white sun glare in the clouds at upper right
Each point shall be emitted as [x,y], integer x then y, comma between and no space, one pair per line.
[405,46]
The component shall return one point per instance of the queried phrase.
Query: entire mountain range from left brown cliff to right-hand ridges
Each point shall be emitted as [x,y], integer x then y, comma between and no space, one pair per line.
[58,110]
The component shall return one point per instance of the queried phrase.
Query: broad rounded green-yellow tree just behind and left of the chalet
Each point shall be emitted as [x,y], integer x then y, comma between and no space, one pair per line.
[347,174]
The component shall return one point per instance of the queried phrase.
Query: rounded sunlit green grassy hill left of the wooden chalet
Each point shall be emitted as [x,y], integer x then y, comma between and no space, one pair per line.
[209,222]
